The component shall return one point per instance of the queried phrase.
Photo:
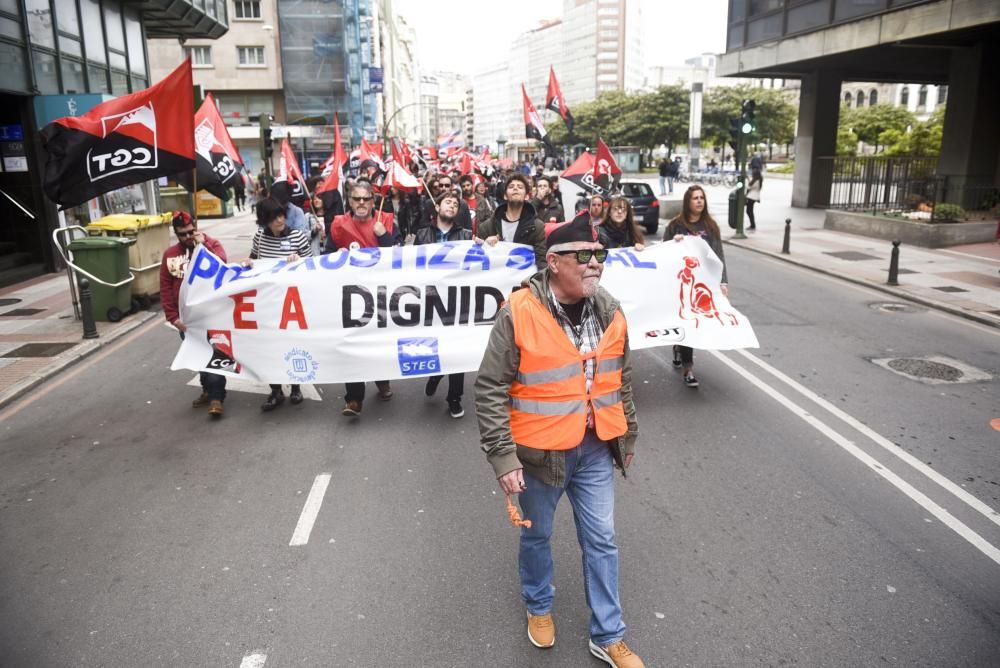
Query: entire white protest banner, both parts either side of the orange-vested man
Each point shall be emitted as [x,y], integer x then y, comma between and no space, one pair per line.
[387,313]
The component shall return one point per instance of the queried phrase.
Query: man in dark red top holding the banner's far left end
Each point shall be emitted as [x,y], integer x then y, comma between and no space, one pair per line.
[173,267]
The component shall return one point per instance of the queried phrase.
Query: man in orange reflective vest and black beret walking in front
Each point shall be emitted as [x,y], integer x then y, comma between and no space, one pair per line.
[555,410]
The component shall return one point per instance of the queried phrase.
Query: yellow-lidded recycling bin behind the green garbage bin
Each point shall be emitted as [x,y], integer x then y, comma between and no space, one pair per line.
[152,237]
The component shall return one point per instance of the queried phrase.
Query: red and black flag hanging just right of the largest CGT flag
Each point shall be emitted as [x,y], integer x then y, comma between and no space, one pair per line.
[217,161]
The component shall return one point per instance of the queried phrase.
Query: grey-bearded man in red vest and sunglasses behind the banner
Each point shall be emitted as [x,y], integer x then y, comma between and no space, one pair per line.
[362,227]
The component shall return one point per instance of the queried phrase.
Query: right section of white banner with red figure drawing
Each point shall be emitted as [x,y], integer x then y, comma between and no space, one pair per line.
[670,295]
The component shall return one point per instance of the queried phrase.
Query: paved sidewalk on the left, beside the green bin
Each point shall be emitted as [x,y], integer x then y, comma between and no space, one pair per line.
[40,337]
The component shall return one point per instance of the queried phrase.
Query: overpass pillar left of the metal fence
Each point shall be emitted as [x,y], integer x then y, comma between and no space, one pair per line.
[819,111]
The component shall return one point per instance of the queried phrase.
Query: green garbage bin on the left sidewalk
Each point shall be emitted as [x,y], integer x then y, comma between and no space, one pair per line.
[107,259]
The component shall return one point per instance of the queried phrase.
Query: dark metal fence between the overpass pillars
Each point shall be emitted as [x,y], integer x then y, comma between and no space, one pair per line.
[905,185]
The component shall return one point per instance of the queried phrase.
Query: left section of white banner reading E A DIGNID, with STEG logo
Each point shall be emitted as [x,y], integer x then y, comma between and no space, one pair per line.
[353,315]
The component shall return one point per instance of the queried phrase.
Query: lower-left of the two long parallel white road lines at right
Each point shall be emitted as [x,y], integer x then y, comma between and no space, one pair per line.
[916,495]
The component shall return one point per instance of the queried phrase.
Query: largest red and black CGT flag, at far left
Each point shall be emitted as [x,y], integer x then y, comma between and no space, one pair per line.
[131,139]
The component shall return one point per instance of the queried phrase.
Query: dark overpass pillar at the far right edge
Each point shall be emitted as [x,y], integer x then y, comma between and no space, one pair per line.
[970,147]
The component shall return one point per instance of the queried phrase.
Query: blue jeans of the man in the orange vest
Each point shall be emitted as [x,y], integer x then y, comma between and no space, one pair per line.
[590,488]
